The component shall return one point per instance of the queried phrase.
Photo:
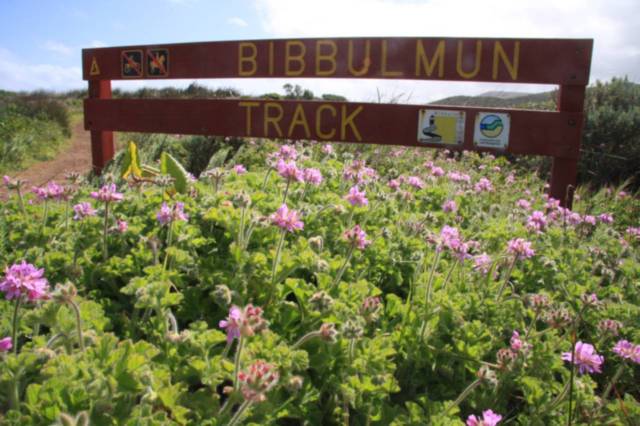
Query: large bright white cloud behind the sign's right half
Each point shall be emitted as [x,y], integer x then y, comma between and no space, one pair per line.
[610,23]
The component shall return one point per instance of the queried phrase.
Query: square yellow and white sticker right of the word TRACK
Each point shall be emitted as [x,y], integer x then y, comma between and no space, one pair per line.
[438,126]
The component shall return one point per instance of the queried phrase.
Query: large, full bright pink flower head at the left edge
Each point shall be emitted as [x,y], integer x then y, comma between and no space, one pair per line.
[24,280]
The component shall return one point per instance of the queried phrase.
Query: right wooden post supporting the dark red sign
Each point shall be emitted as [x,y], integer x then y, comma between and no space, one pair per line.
[564,171]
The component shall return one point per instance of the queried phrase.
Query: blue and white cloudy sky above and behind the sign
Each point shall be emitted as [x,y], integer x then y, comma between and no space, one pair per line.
[41,40]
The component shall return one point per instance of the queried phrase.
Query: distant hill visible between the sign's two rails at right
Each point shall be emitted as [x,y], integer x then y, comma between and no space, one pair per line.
[544,100]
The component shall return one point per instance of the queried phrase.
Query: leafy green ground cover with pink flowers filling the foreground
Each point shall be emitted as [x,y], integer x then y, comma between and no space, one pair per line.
[311,284]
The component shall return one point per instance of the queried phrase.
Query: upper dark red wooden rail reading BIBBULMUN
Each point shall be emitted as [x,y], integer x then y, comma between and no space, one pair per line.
[544,61]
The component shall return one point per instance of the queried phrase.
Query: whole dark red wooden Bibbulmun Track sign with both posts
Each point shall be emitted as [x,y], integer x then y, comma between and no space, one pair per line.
[557,134]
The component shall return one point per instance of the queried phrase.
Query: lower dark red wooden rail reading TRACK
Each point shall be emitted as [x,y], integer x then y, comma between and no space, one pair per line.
[531,132]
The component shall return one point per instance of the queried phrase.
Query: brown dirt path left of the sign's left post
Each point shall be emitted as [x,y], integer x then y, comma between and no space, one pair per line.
[75,157]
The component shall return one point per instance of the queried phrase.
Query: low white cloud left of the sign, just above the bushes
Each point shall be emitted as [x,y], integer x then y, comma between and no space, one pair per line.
[15,74]
